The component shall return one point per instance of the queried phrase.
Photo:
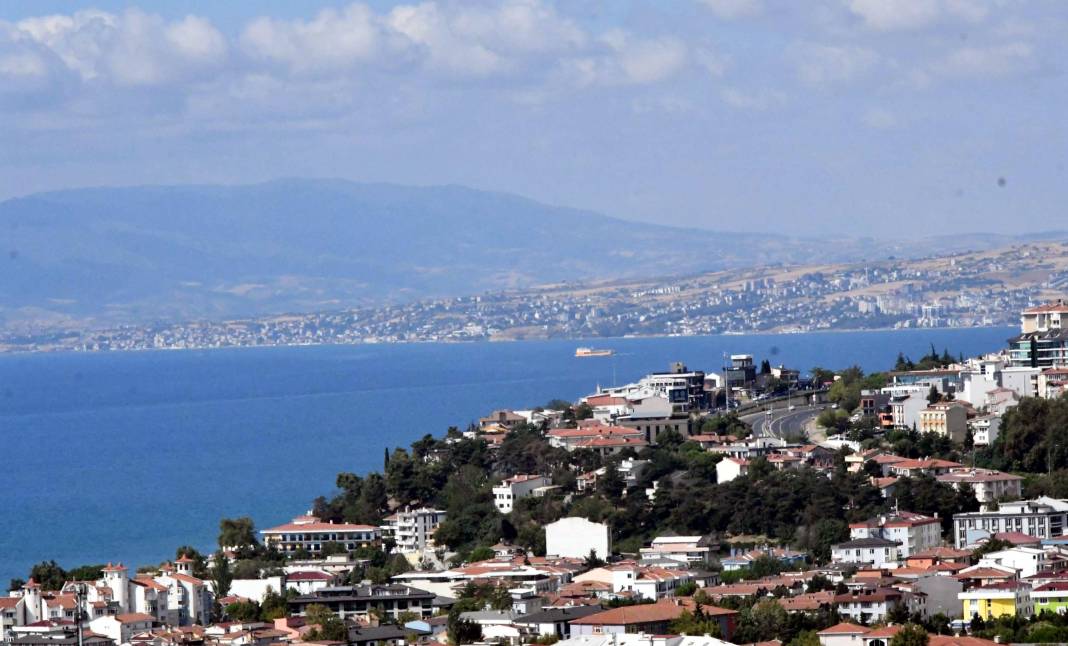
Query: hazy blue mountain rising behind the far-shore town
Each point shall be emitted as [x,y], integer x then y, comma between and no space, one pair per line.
[114,256]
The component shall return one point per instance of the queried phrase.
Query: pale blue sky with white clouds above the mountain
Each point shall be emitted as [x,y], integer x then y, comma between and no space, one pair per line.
[882,118]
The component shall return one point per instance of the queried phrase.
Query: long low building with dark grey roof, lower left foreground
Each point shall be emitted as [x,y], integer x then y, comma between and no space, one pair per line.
[357,602]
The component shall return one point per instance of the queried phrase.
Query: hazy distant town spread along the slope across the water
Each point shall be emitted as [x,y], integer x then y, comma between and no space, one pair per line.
[970,290]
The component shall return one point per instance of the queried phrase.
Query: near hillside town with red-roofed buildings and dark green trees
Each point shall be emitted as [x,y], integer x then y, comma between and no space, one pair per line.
[928,505]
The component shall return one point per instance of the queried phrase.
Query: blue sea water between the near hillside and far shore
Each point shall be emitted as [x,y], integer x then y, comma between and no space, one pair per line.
[128,456]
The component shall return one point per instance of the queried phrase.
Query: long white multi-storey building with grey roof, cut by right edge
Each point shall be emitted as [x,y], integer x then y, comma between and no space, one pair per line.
[1042,518]
